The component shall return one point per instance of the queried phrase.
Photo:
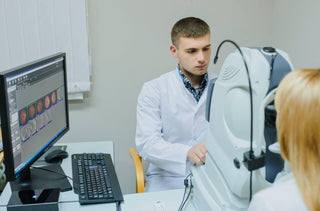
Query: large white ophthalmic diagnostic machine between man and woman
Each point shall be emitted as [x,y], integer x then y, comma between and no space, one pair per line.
[243,153]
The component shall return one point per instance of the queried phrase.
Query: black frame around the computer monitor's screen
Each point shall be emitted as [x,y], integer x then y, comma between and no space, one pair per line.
[5,119]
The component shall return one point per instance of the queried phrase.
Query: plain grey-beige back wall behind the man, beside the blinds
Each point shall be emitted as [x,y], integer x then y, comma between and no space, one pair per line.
[129,43]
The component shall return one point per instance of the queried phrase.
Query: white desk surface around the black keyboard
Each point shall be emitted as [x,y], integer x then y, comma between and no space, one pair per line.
[169,200]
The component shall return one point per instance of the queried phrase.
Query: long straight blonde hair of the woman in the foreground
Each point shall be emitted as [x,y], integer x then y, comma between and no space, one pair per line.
[298,124]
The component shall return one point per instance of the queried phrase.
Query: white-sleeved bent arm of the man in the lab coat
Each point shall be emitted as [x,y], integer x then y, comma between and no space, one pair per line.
[151,145]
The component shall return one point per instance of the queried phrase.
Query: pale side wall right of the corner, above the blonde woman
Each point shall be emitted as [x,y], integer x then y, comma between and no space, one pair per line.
[296,30]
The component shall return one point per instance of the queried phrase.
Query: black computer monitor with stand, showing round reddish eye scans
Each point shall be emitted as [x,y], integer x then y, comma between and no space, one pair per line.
[34,116]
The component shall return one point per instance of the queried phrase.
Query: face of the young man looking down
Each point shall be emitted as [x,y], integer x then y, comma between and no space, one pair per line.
[193,54]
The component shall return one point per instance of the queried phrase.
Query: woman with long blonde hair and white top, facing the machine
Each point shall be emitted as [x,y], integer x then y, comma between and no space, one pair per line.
[298,124]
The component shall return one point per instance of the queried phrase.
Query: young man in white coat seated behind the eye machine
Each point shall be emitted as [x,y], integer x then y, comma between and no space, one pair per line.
[171,109]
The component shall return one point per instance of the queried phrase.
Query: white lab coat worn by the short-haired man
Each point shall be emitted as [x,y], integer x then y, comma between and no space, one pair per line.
[169,123]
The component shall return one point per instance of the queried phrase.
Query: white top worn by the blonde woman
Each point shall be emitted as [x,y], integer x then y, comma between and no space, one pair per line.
[284,195]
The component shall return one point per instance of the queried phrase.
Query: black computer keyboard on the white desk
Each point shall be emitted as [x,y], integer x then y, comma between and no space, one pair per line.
[94,178]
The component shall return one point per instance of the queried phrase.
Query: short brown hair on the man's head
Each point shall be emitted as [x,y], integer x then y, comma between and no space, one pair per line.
[189,27]
